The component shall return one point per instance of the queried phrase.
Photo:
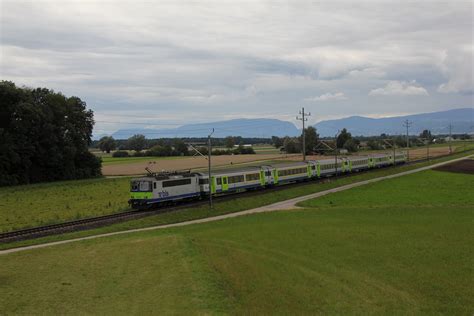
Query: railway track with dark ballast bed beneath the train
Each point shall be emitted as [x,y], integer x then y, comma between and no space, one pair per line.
[105,220]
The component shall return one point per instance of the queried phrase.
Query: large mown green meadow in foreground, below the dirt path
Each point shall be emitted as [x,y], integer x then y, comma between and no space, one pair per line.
[401,246]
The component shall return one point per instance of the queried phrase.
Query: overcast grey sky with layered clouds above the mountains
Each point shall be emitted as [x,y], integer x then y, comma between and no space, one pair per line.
[174,62]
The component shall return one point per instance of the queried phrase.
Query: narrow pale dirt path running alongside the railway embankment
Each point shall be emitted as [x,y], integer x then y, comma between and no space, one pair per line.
[284,205]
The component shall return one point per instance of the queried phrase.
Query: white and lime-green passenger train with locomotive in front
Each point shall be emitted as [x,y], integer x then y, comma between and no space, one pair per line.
[164,188]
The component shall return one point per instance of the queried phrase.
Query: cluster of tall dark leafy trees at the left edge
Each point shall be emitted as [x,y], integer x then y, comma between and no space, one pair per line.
[44,136]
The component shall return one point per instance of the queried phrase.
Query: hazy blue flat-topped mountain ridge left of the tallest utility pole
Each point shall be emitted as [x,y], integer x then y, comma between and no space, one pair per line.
[264,128]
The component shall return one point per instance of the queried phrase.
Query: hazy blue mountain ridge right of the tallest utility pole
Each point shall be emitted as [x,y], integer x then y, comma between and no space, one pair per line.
[436,122]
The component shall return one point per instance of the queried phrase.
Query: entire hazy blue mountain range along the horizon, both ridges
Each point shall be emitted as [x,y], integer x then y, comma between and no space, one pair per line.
[437,122]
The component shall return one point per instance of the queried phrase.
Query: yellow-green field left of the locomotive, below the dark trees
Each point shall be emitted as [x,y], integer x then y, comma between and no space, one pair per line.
[47,203]
